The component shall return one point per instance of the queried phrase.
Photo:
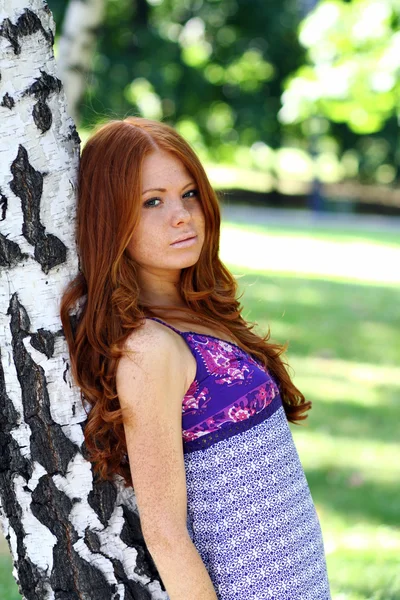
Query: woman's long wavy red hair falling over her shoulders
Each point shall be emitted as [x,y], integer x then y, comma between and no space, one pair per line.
[100,307]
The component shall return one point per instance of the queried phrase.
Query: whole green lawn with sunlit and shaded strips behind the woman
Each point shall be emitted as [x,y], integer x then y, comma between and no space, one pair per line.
[335,296]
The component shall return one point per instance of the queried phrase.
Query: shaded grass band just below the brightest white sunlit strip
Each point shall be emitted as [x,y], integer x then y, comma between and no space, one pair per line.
[344,320]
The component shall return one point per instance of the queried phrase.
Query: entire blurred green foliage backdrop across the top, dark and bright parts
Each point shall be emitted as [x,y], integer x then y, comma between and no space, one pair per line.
[256,85]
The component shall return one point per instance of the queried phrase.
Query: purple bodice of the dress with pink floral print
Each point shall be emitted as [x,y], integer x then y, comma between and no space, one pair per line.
[230,386]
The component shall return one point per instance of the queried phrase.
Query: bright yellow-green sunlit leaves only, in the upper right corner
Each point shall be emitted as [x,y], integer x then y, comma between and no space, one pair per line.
[354,59]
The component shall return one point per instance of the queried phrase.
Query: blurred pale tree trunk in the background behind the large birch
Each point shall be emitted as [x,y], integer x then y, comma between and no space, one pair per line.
[76,48]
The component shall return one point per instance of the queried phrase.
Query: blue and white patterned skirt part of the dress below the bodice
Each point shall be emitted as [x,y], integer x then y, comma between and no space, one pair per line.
[252,518]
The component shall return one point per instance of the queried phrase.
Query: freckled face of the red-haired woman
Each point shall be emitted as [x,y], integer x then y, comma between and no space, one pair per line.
[170,210]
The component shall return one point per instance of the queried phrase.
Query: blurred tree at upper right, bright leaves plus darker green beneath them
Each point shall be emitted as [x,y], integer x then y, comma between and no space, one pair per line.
[349,89]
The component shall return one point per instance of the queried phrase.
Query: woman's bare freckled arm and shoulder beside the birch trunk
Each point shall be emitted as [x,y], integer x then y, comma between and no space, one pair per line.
[151,385]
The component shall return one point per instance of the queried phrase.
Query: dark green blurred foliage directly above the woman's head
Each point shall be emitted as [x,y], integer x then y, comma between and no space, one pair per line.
[212,68]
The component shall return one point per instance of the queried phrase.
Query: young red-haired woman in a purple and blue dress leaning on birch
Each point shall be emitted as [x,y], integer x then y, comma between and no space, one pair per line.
[188,404]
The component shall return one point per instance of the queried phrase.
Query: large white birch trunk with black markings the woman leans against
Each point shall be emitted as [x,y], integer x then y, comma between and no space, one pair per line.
[70,538]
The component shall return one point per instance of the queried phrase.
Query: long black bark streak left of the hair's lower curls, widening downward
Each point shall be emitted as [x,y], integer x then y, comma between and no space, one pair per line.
[49,446]
